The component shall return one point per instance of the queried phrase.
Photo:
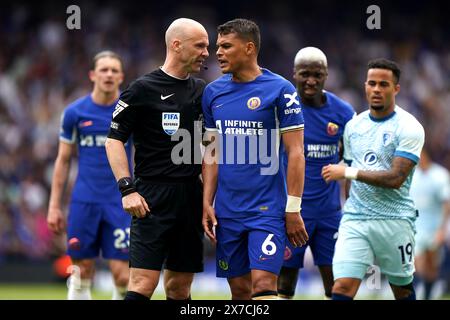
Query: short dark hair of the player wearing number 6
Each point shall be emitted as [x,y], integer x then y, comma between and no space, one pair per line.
[244,28]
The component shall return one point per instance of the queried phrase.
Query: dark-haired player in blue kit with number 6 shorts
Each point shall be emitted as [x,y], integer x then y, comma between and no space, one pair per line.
[249,208]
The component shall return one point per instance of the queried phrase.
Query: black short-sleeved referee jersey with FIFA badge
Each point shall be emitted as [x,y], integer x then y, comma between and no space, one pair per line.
[153,108]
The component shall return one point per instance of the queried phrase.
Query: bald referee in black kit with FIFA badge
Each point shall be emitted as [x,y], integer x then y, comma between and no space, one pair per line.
[165,199]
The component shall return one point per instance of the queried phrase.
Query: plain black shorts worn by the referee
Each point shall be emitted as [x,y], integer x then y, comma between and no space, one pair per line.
[172,234]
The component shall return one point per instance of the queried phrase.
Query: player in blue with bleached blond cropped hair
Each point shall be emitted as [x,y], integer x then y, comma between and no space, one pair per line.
[325,118]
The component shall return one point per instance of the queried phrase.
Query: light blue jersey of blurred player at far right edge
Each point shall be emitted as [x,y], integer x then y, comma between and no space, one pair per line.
[429,190]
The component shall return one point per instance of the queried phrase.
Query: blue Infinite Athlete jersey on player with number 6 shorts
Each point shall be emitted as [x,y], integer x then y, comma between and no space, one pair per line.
[249,118]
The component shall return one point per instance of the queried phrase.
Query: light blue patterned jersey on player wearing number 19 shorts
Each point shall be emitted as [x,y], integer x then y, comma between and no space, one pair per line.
[371,144]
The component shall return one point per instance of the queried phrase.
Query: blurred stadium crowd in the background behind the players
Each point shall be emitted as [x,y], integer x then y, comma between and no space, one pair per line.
[43,67]
